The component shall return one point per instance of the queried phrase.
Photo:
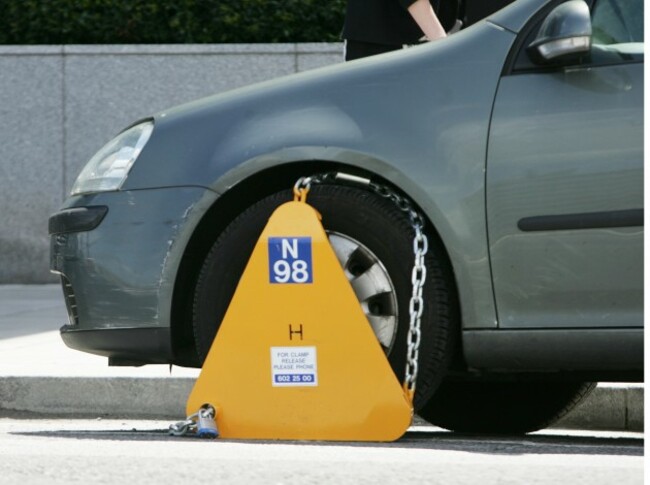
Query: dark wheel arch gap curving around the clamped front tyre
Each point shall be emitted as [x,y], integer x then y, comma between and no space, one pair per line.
[239,189]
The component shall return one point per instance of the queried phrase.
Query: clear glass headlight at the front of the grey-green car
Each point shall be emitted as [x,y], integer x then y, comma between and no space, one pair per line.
[108,169]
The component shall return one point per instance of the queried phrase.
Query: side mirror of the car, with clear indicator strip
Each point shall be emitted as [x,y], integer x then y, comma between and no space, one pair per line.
[565,34]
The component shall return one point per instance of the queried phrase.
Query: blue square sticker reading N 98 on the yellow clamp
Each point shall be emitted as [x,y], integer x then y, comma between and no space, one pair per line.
[290,260]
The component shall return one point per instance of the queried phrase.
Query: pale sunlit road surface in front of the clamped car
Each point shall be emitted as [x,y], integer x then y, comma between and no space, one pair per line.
[133,452]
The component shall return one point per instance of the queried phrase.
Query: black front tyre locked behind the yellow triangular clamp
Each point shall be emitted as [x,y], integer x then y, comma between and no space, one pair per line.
[383,235]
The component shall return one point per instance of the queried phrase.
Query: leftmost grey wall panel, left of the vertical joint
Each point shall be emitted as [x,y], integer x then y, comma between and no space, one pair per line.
[31,161]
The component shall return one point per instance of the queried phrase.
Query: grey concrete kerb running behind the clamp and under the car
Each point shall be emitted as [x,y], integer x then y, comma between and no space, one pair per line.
[611,408]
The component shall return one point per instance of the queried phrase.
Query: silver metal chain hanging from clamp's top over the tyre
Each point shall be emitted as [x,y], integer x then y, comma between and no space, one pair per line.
[418,274]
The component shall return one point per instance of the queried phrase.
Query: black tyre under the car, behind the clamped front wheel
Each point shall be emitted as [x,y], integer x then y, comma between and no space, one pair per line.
[502,407]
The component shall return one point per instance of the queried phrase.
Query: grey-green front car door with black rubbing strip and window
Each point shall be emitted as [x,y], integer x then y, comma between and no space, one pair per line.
[564,182]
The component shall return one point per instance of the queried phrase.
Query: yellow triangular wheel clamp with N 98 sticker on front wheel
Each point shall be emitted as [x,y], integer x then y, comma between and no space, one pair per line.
[295,357]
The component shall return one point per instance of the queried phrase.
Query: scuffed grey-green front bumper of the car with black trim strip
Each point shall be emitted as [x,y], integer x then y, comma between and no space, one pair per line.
[118,254]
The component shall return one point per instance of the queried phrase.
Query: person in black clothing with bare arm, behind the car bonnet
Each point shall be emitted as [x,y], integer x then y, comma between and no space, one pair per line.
[376,26]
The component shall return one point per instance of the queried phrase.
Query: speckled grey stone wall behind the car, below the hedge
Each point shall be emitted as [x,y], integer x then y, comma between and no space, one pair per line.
[60,104]
